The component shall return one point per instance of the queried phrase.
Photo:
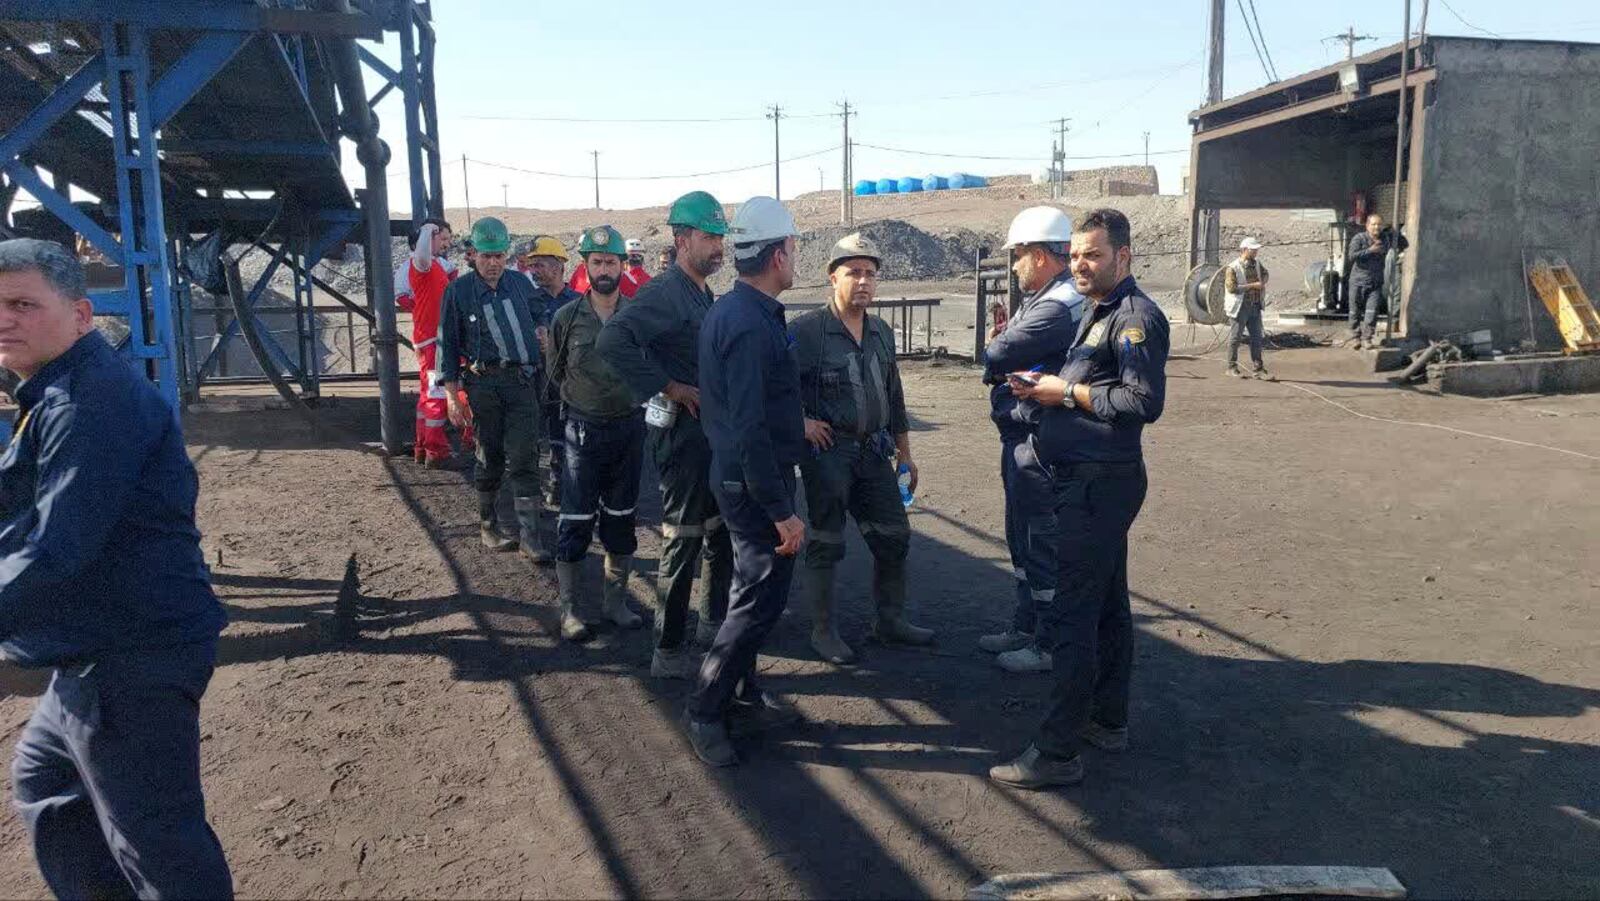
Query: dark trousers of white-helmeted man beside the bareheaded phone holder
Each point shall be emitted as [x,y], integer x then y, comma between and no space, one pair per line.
[1030,529]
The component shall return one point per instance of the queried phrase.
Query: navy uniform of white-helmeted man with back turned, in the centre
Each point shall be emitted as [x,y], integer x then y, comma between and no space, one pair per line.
[756,426]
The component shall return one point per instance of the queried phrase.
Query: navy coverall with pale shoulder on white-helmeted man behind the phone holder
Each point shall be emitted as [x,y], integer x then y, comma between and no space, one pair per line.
[1039,335]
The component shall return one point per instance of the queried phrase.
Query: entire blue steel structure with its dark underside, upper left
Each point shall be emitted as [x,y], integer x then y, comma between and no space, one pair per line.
[186,119]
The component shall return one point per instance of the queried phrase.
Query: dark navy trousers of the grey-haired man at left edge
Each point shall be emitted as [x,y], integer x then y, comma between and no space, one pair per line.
[108,782]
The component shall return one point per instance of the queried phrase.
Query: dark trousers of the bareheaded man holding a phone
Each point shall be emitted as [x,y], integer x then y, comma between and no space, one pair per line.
[1089,623]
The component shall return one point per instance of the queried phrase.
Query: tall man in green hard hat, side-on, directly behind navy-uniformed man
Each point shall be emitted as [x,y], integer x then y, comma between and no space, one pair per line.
[654,343]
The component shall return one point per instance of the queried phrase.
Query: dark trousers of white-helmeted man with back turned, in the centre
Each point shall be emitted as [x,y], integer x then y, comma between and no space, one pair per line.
[761,591]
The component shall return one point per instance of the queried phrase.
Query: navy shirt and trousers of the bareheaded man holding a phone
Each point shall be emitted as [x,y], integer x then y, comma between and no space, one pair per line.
[1098,468]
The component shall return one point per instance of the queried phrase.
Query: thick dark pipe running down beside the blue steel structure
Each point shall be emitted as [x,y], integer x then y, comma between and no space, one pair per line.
[374,154]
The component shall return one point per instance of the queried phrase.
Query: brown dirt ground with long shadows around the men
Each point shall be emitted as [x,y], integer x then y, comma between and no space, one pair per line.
[1361,643]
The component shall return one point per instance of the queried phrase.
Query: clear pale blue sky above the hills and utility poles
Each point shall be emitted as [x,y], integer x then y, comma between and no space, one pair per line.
[924,79]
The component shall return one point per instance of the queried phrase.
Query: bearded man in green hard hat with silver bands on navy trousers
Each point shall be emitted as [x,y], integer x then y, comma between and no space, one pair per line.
[606,441]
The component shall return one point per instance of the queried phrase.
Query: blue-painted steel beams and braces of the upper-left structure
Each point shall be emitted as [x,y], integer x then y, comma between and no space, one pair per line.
[156,300]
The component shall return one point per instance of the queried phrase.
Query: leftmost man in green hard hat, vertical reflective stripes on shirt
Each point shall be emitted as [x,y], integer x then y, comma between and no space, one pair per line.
[487,343]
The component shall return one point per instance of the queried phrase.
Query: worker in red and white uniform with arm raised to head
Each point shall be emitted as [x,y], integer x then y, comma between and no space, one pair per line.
[426,276]
